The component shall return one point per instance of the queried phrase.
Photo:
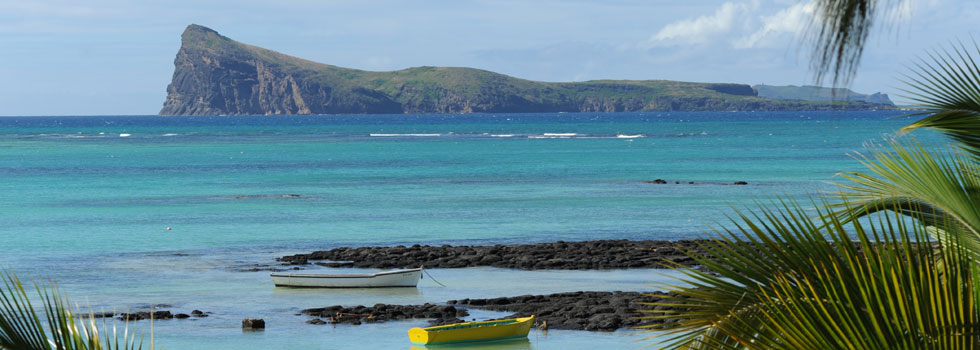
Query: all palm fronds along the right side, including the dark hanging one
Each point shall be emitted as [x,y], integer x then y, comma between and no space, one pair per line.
[783,280]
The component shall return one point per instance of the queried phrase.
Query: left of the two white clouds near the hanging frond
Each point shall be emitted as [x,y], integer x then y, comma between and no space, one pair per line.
[704,28]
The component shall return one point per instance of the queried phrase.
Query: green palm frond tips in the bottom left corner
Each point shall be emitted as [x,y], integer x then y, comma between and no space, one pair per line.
[57,327]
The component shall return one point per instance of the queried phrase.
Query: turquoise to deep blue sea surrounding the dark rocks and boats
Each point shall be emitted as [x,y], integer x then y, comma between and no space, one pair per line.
[87,202]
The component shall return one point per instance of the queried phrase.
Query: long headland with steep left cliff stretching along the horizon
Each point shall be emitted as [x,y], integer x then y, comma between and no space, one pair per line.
[215,75]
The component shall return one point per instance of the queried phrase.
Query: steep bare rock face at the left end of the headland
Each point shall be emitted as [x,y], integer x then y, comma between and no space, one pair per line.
[214,75]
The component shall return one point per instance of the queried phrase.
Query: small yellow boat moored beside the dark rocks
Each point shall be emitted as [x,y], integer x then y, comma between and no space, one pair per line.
[472,331]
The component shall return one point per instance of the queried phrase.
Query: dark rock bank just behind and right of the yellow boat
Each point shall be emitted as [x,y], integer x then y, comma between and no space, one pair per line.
[591,311]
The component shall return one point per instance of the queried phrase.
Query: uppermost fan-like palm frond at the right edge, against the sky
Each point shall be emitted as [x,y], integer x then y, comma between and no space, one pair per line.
[947,86]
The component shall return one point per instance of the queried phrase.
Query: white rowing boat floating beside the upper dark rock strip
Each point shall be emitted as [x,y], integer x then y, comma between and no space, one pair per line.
[395,278]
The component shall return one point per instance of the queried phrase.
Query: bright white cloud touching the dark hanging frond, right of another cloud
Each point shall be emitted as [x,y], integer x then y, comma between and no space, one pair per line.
[792,20]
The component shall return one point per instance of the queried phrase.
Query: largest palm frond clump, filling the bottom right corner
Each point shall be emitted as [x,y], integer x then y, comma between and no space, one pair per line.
[784,281]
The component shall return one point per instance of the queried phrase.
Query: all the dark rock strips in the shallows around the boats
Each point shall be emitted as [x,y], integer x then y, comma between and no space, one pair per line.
[592,310]
